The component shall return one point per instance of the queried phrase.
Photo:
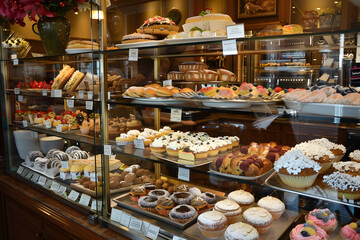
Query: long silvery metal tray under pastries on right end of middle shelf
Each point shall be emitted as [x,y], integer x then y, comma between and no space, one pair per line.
[335,110]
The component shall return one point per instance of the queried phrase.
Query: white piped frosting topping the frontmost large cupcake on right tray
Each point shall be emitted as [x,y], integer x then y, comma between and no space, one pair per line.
[294,161]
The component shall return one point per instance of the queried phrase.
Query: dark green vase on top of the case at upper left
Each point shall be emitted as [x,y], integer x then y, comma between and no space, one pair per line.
[54,33]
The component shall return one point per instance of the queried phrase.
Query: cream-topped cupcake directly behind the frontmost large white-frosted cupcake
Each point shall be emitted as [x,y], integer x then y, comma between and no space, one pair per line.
[318,153]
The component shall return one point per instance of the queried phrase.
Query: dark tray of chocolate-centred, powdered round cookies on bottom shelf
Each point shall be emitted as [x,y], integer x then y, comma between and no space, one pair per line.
[179,209]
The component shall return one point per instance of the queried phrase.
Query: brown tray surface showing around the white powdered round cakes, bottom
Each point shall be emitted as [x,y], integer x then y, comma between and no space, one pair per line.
[277,229]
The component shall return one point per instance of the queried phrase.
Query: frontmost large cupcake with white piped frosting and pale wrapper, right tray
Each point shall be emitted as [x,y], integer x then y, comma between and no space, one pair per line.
[297,170]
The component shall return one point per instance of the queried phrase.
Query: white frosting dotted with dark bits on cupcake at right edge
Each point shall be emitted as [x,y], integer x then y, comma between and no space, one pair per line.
[342,181]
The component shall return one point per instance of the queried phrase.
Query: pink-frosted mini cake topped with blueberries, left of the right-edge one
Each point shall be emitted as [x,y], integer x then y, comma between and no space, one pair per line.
[323,218]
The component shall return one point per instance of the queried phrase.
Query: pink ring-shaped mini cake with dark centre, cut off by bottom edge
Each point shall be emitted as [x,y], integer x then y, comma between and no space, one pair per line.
[307,231]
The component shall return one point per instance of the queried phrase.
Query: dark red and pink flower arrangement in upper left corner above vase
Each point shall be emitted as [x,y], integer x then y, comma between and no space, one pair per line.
[14,11]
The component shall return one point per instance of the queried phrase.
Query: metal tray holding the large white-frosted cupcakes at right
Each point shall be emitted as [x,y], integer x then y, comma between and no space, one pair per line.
[317,190]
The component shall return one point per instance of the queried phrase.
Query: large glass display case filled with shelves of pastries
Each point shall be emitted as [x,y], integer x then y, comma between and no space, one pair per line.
[155,122]
